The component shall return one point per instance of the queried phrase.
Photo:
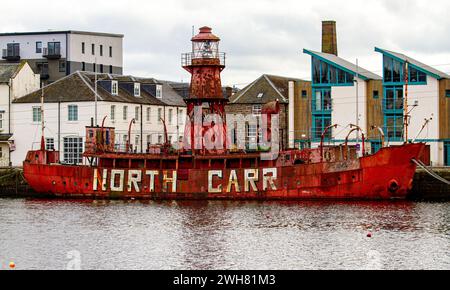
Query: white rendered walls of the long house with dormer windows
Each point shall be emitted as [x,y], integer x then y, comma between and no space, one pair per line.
[27,134]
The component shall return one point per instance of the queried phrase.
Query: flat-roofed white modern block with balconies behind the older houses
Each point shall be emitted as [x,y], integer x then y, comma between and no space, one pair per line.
[55,54]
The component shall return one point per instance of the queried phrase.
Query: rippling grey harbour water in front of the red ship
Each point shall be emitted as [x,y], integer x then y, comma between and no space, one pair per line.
[38,234]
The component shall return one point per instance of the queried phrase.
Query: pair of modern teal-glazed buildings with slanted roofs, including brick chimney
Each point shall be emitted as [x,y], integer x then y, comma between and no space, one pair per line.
[344,93]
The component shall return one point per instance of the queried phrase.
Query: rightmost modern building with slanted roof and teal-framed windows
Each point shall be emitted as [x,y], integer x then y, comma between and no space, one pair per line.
[428,92]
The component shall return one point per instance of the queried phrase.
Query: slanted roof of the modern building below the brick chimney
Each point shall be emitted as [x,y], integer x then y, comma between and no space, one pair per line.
[344,65]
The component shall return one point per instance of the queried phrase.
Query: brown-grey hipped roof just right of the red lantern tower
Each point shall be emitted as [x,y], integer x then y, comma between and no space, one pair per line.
[270,86]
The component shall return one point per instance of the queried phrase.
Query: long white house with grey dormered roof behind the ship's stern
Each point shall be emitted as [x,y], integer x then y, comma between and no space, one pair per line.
[69,106]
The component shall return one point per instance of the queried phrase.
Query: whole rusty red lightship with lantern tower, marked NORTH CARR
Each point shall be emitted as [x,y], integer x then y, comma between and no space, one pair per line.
[201,172]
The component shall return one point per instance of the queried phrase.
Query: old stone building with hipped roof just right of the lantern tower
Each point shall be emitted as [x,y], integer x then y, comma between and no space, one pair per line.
[293,96]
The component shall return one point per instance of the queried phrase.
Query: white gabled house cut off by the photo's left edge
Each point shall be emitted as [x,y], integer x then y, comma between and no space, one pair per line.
[16,80]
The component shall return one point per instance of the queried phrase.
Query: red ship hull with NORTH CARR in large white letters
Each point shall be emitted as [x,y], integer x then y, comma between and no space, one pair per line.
[387,174]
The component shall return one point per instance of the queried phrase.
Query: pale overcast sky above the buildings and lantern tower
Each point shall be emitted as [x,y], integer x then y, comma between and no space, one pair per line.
[259,36]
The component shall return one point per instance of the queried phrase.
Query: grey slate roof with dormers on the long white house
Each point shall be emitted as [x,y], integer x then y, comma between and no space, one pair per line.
[80,87]
